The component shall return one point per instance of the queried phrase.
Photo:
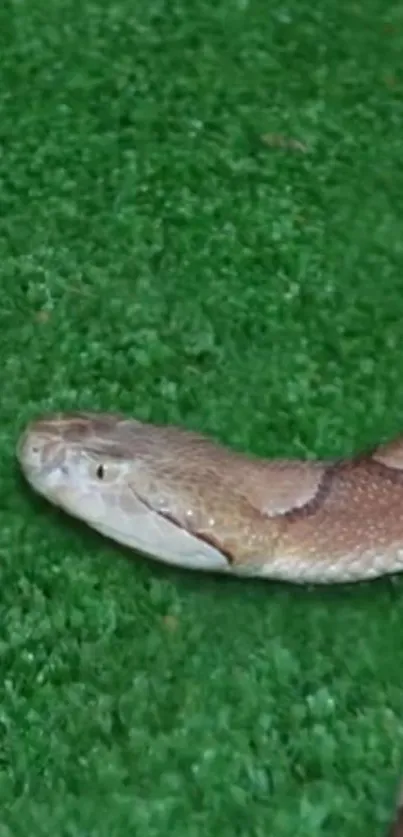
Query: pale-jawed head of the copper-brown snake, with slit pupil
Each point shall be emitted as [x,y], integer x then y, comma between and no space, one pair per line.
[99,467]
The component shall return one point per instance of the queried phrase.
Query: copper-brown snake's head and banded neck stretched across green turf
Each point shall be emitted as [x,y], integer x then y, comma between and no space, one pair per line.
[185,499]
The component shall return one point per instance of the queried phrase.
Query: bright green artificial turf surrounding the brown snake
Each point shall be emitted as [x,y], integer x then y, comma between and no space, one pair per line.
[157,257]
